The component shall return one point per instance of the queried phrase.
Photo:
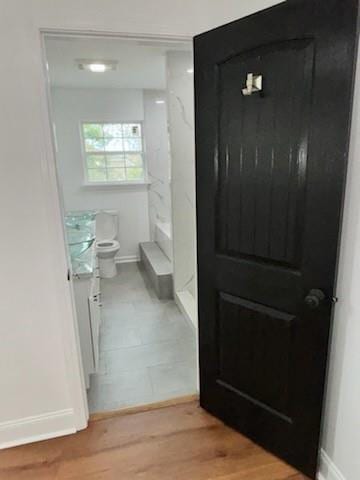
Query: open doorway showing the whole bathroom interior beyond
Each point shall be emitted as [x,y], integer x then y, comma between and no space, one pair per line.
[123,123]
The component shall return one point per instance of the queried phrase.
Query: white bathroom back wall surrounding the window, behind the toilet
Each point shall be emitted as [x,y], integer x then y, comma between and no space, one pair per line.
[71,106]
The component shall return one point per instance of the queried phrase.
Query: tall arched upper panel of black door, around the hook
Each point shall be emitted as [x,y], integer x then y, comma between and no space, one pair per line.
[263,152]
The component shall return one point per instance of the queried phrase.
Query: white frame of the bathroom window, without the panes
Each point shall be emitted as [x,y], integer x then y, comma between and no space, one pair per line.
[119,183]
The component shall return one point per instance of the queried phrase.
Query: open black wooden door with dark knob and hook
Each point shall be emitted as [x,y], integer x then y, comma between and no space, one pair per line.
[271,163]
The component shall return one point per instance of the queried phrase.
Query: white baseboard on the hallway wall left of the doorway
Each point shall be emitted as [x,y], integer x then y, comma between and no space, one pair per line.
[37,428]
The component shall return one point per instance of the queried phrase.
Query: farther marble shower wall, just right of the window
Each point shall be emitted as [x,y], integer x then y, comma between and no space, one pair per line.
[157,157]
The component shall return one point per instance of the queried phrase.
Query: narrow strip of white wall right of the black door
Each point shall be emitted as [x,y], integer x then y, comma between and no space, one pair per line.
[341,440]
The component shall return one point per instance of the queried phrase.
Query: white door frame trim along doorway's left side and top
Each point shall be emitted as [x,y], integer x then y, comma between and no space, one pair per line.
[69,326]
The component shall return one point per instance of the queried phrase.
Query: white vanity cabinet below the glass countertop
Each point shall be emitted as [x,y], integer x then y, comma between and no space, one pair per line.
[88,309]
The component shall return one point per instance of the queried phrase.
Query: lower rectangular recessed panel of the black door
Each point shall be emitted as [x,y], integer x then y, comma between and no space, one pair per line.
[254,352]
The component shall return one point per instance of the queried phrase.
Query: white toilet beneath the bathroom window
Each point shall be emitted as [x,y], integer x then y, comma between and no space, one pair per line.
[106,244]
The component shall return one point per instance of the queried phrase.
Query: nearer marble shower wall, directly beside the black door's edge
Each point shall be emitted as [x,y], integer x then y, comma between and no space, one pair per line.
[180,100]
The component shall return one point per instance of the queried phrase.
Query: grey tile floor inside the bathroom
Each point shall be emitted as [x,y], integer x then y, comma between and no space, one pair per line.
[147,348]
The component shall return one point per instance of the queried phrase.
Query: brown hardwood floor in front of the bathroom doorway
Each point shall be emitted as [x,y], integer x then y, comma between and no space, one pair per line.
[180,442]
